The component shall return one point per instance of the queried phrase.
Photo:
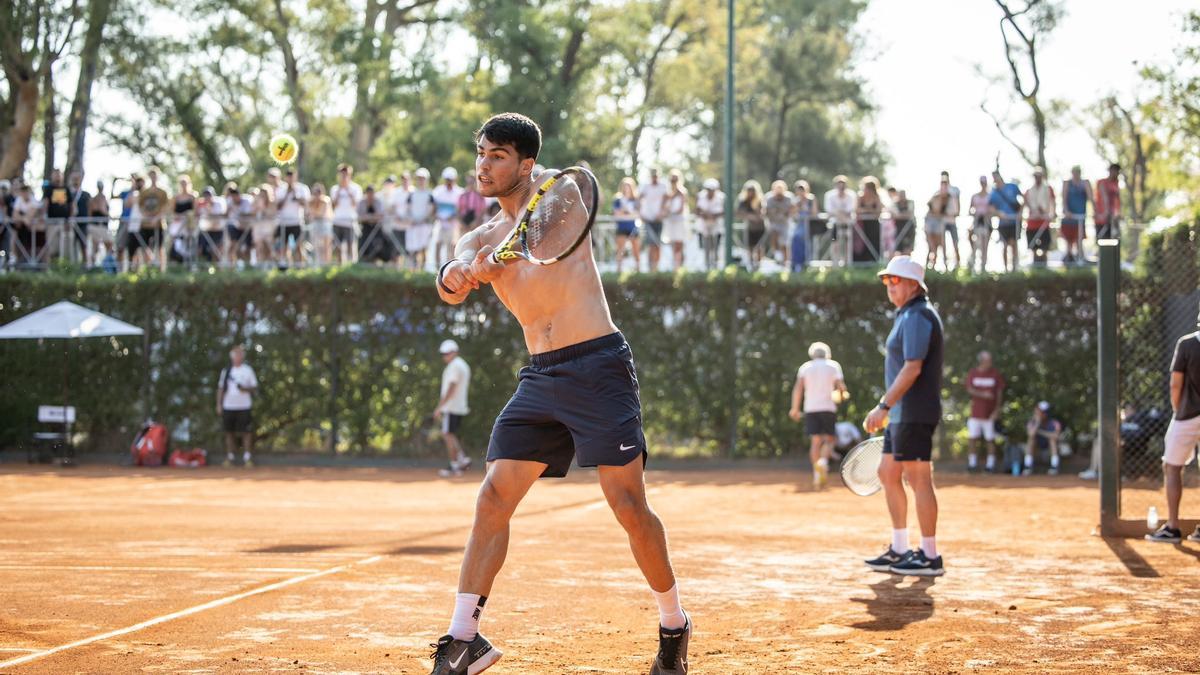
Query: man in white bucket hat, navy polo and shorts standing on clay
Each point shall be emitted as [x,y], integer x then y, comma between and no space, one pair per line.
[909,415]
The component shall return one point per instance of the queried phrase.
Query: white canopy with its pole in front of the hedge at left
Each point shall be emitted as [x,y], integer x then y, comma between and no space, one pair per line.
[67,321]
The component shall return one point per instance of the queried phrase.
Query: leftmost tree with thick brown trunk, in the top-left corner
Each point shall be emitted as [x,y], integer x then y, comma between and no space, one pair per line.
[33,37]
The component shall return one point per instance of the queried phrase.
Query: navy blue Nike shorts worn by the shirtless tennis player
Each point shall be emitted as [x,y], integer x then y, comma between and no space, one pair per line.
[580,402]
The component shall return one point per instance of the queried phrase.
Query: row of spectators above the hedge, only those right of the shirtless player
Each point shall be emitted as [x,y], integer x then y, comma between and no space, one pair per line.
[844,226]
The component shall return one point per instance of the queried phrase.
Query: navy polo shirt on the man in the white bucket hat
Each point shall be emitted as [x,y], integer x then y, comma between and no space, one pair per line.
[916,336]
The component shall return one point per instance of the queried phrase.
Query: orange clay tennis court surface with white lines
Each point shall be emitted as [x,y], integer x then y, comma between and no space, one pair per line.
[109,570]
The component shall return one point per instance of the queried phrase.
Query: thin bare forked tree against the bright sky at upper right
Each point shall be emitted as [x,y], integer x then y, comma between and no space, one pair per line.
[1023,28]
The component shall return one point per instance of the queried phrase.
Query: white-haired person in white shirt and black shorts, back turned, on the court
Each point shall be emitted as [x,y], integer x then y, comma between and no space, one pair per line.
[821,385]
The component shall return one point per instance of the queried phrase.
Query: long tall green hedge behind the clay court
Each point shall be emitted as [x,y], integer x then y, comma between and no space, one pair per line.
[716,353]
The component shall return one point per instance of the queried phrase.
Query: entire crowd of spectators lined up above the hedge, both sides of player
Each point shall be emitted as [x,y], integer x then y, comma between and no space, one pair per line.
[409,222]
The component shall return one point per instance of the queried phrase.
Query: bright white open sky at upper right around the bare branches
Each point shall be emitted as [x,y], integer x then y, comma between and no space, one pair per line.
[923,79]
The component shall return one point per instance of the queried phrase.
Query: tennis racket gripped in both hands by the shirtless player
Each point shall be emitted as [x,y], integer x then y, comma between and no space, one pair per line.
[557,220]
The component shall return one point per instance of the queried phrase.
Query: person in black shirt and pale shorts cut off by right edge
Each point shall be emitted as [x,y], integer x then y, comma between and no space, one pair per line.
[1183,434]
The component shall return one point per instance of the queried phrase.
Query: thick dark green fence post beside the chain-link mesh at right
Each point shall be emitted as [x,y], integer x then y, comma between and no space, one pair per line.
[1107,396]
